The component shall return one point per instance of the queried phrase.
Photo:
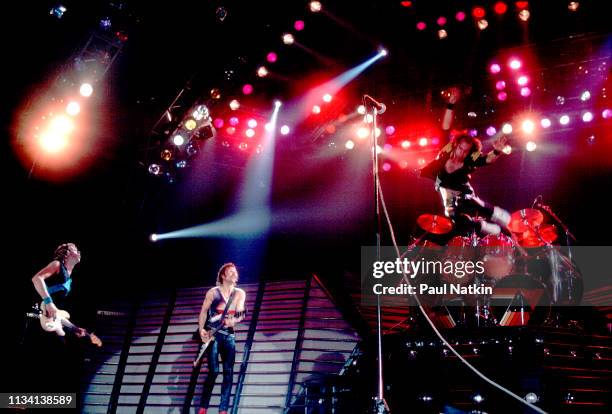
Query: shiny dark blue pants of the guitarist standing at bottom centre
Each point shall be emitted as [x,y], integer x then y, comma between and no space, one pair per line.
[226,346]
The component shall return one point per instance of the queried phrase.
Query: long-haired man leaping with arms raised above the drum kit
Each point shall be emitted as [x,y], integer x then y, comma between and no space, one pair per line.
[451,171]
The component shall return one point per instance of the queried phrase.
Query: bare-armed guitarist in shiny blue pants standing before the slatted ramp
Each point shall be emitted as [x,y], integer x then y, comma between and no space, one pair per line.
[224,340]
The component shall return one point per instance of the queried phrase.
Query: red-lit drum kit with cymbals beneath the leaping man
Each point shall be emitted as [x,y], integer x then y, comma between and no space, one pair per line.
[526,268]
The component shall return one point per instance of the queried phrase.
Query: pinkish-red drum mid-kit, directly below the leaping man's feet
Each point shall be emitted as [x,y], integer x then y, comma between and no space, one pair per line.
[497,255]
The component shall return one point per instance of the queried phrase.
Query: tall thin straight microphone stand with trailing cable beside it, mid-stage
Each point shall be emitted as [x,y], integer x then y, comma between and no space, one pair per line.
[380,405]
